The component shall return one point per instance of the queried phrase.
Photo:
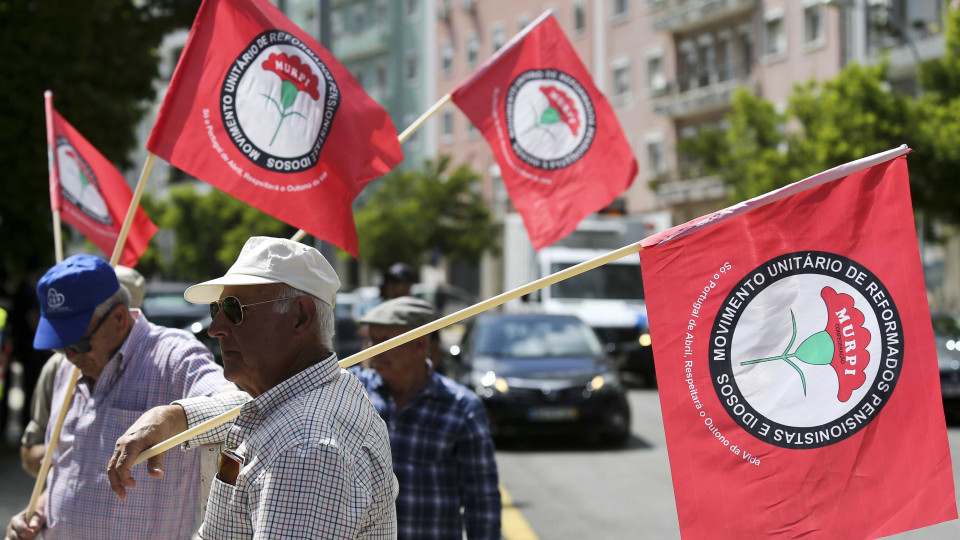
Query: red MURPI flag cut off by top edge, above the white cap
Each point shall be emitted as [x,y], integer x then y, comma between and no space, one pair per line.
[258,109]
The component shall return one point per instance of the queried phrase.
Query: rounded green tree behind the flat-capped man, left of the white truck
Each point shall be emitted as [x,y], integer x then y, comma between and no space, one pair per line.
[415,212]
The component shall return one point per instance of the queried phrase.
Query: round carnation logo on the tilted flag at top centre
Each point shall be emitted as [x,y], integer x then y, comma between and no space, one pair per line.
[550,119]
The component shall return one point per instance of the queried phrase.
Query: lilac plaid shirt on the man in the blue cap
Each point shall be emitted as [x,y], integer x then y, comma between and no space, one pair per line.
[154,366]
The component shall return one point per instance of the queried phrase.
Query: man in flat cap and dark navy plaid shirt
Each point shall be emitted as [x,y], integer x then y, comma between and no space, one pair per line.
[443,454]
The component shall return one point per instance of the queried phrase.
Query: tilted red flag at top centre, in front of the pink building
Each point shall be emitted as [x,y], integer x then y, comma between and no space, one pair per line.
[559,145]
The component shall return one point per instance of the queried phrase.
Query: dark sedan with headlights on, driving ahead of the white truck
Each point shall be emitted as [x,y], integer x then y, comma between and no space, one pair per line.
[542,374]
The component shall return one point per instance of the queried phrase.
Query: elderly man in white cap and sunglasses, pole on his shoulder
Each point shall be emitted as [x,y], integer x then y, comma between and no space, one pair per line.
[308,457]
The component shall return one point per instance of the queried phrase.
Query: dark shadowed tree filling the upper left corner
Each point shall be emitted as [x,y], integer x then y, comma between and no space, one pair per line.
[99,57]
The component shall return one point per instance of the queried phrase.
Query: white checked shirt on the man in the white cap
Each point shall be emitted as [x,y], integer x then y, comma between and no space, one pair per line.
[316,461]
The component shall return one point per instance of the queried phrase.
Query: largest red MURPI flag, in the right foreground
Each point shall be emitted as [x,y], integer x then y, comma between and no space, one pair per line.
[796,363]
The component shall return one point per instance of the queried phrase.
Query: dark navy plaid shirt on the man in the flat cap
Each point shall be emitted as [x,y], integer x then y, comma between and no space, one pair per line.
[443,457]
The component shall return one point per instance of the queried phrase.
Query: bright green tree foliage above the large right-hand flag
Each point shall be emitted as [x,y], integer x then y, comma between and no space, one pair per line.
[831,122]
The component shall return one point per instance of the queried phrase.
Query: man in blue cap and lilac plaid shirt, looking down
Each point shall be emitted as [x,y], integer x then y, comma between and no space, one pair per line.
[127,365]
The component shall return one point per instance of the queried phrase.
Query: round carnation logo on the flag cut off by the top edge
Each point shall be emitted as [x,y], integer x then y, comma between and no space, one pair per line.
[278,102]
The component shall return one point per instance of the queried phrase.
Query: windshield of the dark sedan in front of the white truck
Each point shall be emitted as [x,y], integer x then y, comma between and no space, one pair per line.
[536,338]
